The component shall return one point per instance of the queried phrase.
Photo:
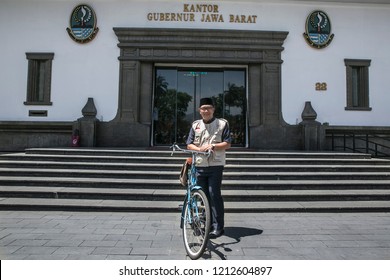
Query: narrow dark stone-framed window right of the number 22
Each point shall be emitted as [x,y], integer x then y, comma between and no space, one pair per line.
[357,84]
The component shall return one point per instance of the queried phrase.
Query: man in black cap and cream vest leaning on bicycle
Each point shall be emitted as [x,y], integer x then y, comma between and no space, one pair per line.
[210,133]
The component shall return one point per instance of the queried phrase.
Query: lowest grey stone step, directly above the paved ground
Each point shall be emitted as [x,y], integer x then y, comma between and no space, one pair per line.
[41,204]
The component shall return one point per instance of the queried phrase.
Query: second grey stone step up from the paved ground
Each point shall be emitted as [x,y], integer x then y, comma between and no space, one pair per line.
[178,194]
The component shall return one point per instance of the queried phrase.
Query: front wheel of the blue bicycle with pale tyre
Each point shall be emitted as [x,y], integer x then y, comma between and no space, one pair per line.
[196,228]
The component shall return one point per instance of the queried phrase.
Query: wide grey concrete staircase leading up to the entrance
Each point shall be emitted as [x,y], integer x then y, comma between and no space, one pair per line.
[147,180]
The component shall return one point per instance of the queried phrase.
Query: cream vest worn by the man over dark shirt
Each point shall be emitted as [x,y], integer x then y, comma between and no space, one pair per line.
[210,134]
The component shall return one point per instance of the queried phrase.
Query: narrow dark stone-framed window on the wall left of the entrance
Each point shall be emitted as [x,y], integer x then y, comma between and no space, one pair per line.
[39,78]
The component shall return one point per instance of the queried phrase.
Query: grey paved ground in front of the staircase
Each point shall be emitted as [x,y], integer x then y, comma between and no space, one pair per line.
[275,236]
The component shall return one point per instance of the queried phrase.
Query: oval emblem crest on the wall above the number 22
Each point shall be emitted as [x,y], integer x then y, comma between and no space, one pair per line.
[318,30]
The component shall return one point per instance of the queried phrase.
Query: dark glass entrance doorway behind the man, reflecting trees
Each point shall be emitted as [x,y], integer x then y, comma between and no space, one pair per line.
[176,97]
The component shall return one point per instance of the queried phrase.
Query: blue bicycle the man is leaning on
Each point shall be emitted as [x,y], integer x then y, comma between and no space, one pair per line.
[196,212]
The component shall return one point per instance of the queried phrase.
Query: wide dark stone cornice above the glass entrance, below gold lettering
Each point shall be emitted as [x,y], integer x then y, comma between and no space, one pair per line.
[200,45]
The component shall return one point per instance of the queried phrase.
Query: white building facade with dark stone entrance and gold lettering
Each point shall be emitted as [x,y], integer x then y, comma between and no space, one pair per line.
[285,74]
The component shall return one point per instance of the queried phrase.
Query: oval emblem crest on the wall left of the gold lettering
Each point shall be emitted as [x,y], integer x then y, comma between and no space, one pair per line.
[82,24]
